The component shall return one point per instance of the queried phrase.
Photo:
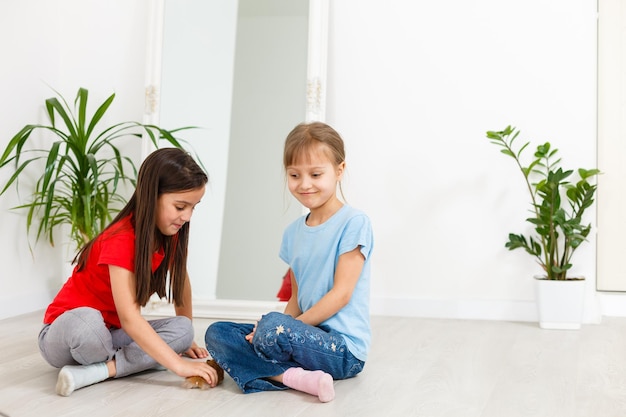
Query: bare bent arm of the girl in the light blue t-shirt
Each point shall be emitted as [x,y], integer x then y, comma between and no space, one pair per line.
[349,267]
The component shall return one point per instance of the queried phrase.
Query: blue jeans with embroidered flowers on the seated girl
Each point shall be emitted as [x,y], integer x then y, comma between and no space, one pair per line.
[280,342]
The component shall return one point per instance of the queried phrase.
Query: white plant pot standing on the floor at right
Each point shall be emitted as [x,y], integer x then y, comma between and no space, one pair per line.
[560,303]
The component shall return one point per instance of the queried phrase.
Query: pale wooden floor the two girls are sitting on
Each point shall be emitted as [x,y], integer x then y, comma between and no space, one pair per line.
[417,367]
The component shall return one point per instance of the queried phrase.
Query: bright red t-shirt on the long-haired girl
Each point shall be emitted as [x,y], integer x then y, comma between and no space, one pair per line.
[91,287]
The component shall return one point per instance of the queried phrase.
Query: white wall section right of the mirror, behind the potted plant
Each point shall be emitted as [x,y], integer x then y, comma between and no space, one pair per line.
[413,87]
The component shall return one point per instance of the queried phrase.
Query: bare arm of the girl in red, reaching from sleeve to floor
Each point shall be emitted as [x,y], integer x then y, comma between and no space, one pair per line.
[129,312]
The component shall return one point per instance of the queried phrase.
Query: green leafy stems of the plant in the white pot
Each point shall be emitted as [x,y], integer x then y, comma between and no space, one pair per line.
[558,203]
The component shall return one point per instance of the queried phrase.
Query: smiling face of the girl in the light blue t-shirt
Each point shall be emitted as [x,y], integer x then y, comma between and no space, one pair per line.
[313,180]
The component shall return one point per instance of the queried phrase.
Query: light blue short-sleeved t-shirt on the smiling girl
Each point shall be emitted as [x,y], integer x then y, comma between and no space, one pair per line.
[312,254]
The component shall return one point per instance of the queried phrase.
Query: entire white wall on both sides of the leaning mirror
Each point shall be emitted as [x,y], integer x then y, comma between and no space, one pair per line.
[412,87]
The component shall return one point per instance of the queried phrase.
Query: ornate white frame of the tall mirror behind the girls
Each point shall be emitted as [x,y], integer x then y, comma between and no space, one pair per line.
[315,110]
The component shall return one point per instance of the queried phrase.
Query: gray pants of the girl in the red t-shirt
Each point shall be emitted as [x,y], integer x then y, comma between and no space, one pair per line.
[80,337]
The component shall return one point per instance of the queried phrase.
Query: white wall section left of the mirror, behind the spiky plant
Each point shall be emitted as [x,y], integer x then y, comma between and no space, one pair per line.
[61,44]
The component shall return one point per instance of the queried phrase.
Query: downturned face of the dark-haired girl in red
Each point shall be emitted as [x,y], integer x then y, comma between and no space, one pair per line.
[175,209]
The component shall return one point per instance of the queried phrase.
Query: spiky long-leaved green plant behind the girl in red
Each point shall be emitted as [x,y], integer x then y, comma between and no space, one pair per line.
[82,181]
